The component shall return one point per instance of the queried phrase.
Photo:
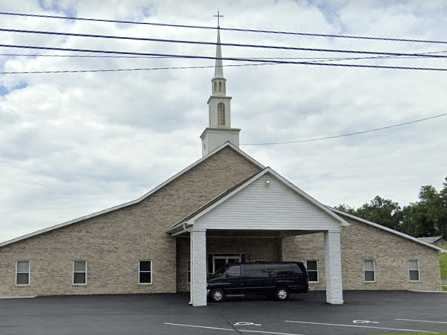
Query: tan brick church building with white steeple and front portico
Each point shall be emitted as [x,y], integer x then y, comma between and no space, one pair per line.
[224,208]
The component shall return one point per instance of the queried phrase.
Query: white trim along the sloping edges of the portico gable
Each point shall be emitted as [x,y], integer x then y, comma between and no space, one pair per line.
[313,201]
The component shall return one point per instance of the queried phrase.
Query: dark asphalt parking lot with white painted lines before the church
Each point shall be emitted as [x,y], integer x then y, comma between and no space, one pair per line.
[363,313]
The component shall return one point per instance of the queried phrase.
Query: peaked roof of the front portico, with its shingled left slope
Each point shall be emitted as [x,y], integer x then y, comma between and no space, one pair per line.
[185,222]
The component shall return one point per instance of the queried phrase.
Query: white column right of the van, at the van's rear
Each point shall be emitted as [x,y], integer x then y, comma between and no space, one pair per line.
[334,280]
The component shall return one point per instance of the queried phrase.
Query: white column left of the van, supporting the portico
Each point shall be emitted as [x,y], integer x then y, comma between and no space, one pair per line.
[198,268]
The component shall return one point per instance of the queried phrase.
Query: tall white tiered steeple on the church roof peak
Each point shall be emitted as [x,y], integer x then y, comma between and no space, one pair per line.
[219,128]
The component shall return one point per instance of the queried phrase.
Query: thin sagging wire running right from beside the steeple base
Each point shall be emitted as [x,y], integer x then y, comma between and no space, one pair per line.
[352,133]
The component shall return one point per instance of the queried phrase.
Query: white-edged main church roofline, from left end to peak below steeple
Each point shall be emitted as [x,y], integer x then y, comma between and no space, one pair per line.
[136,201]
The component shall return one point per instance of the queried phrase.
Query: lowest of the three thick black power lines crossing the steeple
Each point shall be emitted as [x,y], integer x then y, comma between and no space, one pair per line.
[237,59]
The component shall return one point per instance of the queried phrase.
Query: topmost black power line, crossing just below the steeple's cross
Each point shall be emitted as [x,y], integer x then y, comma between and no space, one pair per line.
[250,30]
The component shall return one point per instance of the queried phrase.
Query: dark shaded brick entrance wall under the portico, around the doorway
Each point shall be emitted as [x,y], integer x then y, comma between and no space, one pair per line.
[254,249]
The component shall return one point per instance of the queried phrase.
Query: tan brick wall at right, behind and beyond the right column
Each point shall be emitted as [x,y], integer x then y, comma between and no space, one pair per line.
[360,241]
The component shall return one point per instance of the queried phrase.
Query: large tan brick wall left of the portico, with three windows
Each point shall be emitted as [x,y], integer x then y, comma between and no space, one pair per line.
[113,243]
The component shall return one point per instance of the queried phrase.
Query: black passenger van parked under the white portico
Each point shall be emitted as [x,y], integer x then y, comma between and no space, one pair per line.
[275,280]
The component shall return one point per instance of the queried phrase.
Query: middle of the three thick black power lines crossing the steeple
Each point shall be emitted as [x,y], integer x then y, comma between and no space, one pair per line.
[239,45]
